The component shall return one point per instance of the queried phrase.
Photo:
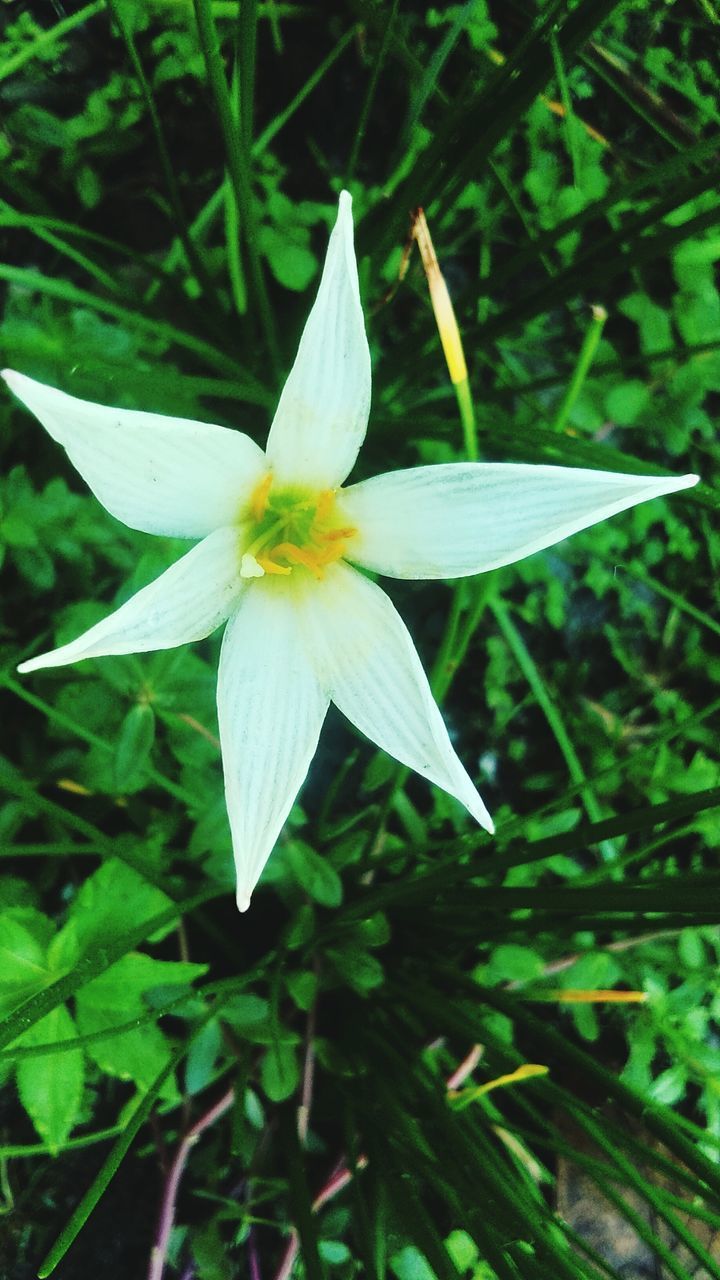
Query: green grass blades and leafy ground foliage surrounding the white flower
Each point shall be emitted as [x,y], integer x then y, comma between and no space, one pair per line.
[168,176]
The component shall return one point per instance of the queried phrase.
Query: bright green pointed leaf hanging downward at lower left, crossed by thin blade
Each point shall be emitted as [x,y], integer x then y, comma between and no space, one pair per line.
[51,1087]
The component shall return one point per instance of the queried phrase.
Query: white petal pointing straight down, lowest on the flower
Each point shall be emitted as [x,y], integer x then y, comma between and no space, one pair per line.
[271,710]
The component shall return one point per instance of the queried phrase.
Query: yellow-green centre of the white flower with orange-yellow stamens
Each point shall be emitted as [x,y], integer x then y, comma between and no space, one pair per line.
[293,528]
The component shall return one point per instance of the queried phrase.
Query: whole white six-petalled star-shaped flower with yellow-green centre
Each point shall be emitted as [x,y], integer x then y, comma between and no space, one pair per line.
[282,546]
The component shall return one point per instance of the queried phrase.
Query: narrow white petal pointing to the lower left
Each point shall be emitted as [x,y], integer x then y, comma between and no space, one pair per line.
[188,602]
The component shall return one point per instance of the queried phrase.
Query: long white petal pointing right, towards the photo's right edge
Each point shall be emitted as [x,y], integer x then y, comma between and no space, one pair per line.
[467,518]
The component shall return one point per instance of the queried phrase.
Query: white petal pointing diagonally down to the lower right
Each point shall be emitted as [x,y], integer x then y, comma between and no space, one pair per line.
[366,657]
